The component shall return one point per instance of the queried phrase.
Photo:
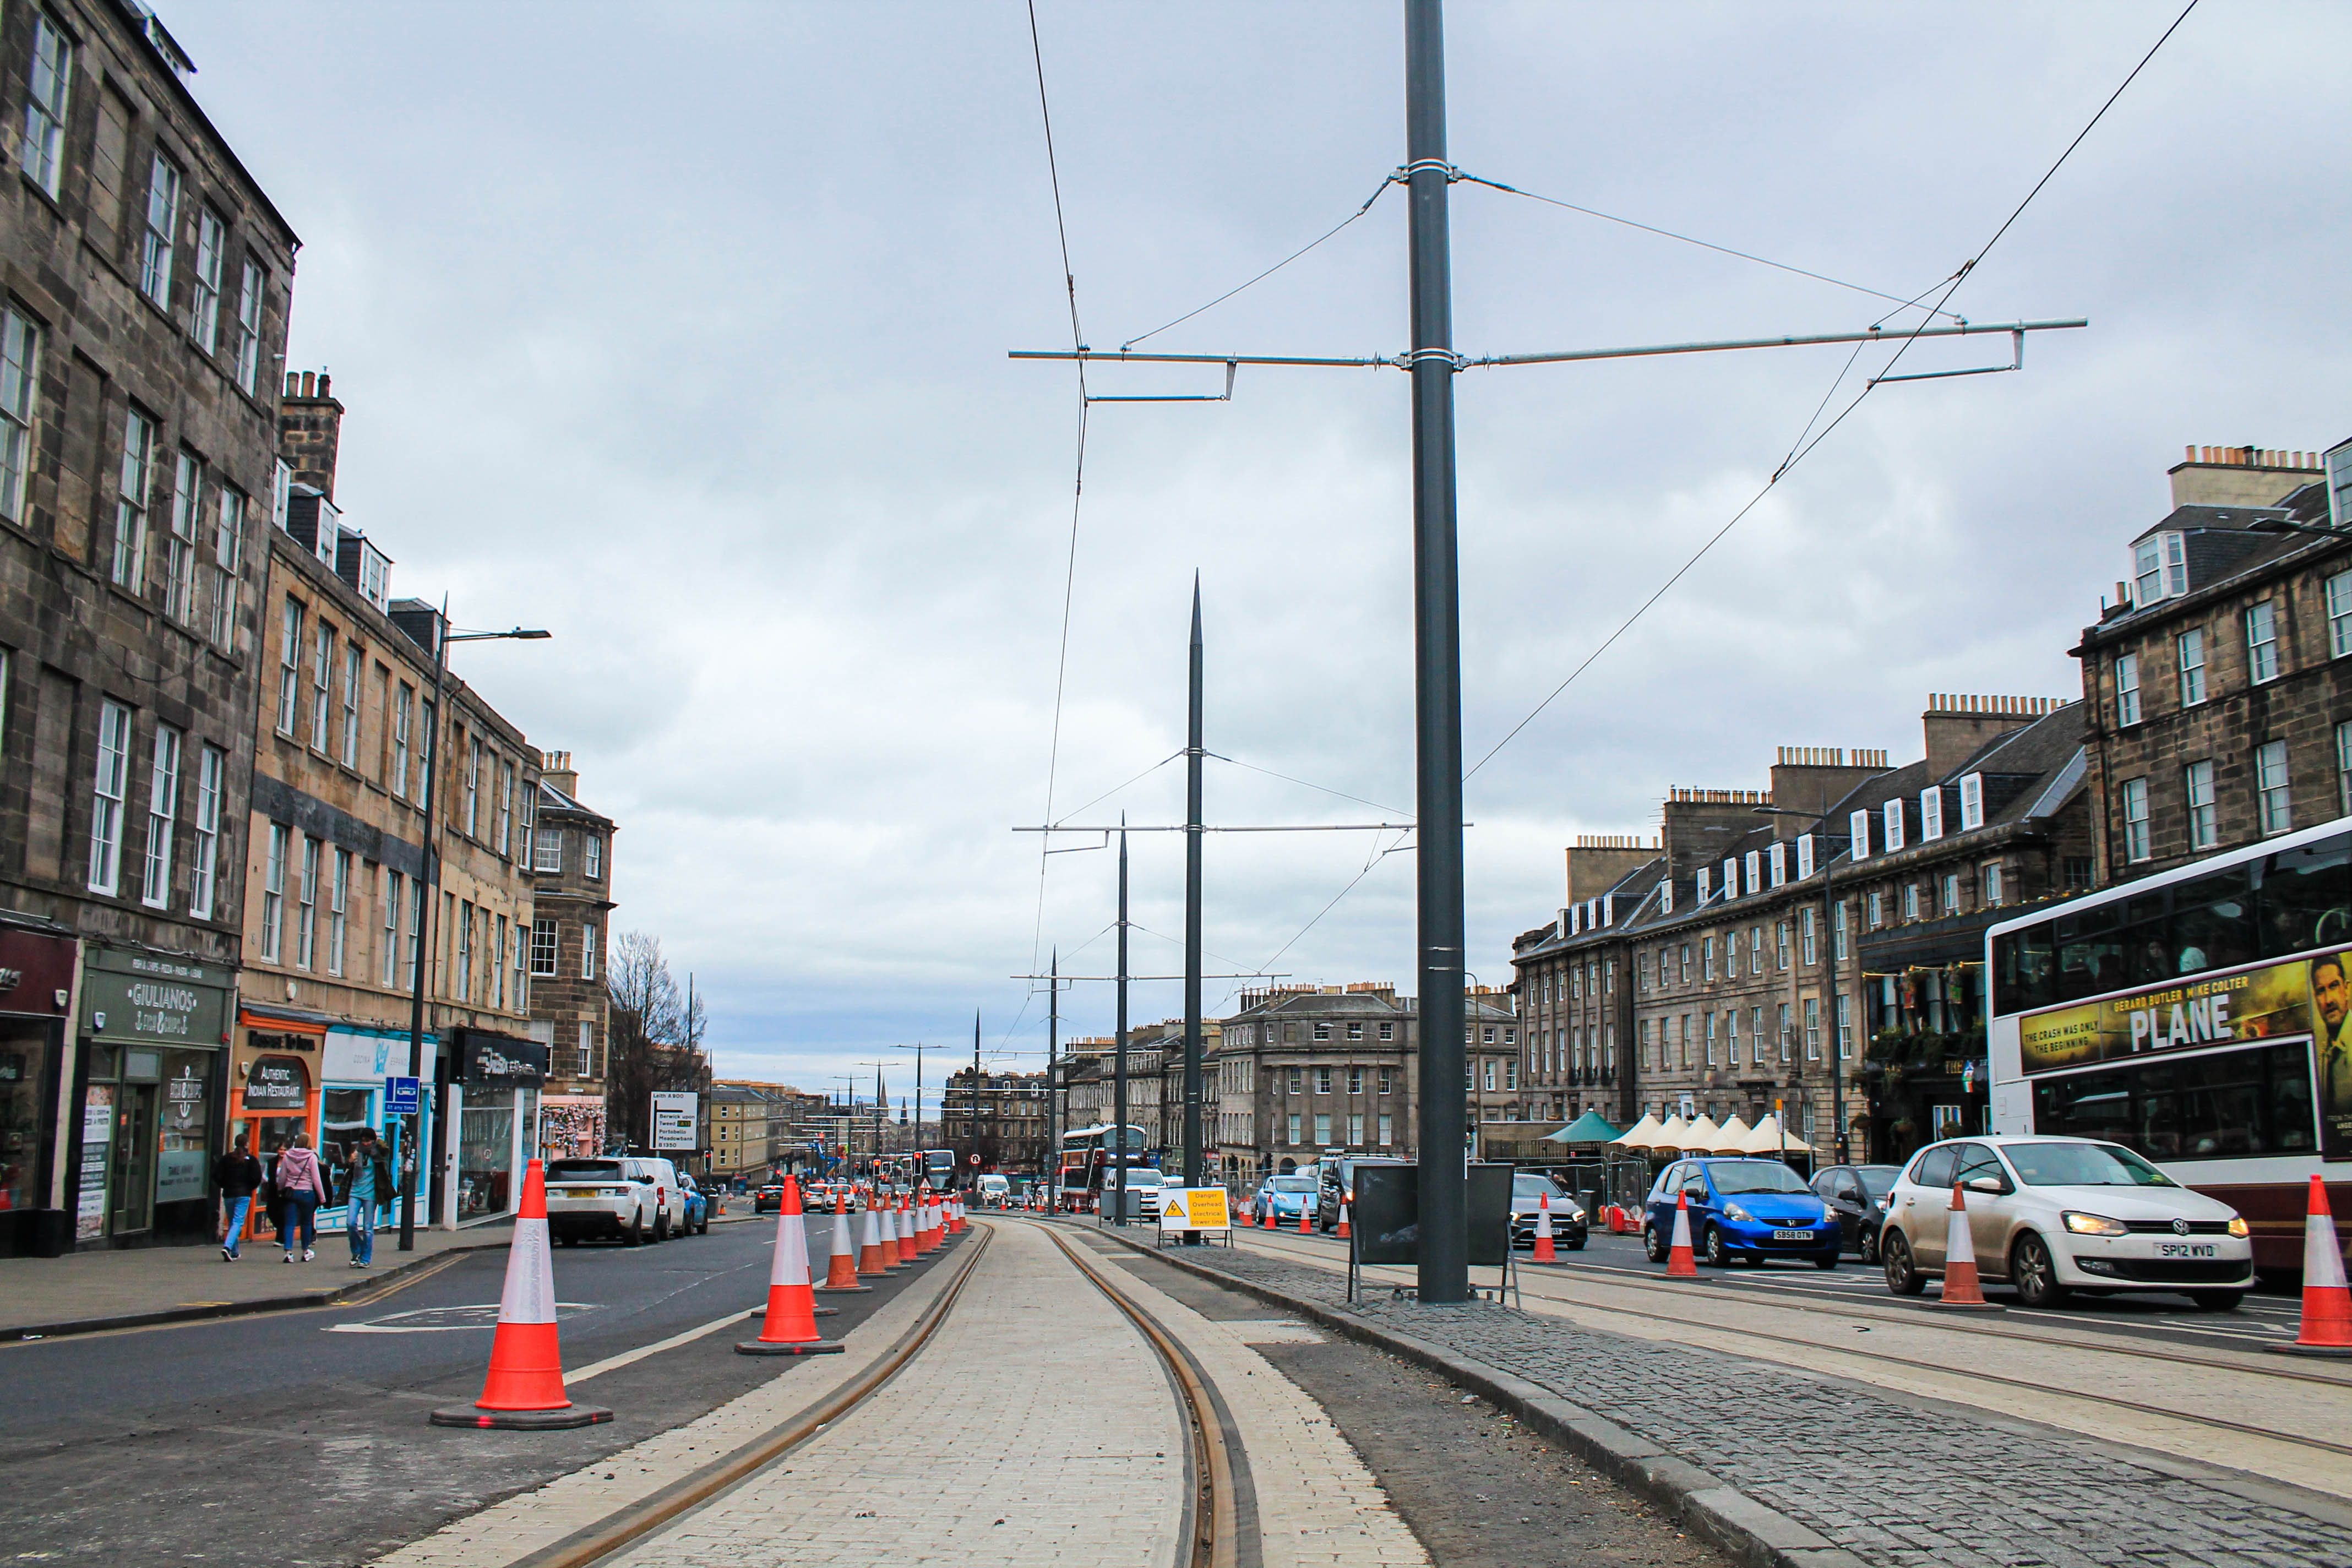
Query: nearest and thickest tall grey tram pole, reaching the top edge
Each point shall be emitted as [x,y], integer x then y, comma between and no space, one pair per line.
[1438,669]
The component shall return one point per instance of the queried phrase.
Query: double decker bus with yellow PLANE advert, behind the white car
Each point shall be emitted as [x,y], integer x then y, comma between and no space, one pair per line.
[2200,1017]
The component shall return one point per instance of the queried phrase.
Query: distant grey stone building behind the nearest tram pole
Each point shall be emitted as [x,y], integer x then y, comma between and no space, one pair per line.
[1309,1071]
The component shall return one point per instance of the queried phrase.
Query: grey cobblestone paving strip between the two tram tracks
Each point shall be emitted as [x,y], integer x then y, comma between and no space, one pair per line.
[1895,1485]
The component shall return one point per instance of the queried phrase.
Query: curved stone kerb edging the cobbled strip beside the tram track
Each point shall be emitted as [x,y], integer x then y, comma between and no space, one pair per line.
[1728,1517]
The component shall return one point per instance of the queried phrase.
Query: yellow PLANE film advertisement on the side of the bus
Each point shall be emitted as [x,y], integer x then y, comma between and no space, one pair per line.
[2266,1003]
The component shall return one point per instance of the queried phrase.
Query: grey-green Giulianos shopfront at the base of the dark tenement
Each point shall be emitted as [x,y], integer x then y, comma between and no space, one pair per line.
[152,1090]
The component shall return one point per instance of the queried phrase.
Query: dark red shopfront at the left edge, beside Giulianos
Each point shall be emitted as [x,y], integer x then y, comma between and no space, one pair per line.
[36,989]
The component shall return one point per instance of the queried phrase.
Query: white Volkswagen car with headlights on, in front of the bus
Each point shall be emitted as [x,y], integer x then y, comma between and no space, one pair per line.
[2064,1214]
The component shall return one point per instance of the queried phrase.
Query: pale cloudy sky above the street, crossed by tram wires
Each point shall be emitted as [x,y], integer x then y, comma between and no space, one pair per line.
[681,333]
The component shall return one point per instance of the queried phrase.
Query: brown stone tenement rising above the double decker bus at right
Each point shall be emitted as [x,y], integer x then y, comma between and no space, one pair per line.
[2219,681]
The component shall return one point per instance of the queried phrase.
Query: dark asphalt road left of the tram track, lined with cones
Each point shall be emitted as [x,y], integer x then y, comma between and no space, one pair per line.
[300,1438]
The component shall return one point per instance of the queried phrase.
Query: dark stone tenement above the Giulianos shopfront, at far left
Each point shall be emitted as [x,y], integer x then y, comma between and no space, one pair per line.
[142,316]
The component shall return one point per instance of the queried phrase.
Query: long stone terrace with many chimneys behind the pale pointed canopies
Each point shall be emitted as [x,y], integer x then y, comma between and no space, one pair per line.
[1742,960]
